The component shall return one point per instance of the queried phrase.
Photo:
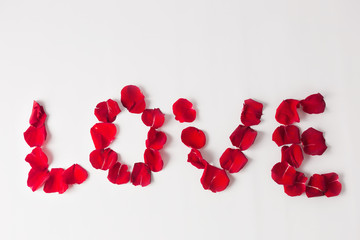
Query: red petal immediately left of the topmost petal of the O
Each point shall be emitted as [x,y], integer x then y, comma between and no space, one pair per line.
[107,111]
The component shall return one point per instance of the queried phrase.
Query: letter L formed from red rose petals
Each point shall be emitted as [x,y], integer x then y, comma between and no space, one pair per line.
[57,179]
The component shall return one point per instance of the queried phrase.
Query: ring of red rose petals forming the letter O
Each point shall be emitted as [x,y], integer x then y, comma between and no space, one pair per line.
[104,133]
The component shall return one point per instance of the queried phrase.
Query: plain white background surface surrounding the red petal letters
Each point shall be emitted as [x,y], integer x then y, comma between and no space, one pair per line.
[70,55]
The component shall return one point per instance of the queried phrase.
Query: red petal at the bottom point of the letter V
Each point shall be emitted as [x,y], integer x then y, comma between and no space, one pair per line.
[214,178]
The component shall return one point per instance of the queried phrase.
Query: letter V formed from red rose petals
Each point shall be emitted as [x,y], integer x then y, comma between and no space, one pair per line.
[233,159]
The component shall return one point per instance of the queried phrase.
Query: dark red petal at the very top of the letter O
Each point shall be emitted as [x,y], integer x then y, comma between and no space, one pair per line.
[133,99]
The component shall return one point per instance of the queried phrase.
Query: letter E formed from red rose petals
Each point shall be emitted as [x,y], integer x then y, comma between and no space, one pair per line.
[294,145]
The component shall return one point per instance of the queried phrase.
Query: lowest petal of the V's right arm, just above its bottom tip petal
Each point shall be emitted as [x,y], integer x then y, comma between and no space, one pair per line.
[233,160]
